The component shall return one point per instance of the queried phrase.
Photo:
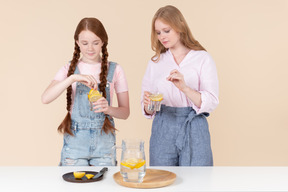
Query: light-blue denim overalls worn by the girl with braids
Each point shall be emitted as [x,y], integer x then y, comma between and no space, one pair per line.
[89,146]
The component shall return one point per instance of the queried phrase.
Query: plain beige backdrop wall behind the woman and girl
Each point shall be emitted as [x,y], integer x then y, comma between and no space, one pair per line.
[247,39]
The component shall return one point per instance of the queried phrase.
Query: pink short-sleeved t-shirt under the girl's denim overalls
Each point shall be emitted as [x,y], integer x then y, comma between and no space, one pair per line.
[119,82]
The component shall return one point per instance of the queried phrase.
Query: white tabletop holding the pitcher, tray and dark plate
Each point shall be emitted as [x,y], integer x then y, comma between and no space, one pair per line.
[188,179]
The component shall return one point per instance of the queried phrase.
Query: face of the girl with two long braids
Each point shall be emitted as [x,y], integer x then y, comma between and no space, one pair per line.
[90,46]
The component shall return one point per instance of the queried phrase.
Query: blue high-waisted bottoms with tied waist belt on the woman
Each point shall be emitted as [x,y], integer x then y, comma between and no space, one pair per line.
[180,137]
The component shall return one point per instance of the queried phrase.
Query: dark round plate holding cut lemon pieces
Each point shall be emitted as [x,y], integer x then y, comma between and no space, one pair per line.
[81,177]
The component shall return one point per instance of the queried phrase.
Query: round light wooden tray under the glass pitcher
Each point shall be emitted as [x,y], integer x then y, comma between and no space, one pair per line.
[154,178]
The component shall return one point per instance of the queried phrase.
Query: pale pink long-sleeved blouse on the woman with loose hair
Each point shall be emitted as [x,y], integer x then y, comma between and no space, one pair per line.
[199,71]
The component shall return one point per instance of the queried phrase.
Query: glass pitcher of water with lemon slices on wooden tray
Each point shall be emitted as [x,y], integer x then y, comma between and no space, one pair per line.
[133,163]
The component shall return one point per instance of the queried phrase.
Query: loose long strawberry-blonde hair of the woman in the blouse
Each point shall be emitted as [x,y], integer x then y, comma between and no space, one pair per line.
[172,16]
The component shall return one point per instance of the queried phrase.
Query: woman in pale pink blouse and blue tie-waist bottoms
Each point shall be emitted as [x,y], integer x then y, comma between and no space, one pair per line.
[186,75]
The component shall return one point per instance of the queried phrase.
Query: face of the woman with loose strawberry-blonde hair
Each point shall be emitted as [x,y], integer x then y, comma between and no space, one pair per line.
[168,37]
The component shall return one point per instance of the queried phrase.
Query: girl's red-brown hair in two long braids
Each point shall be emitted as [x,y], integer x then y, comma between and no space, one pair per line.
[95,26]
